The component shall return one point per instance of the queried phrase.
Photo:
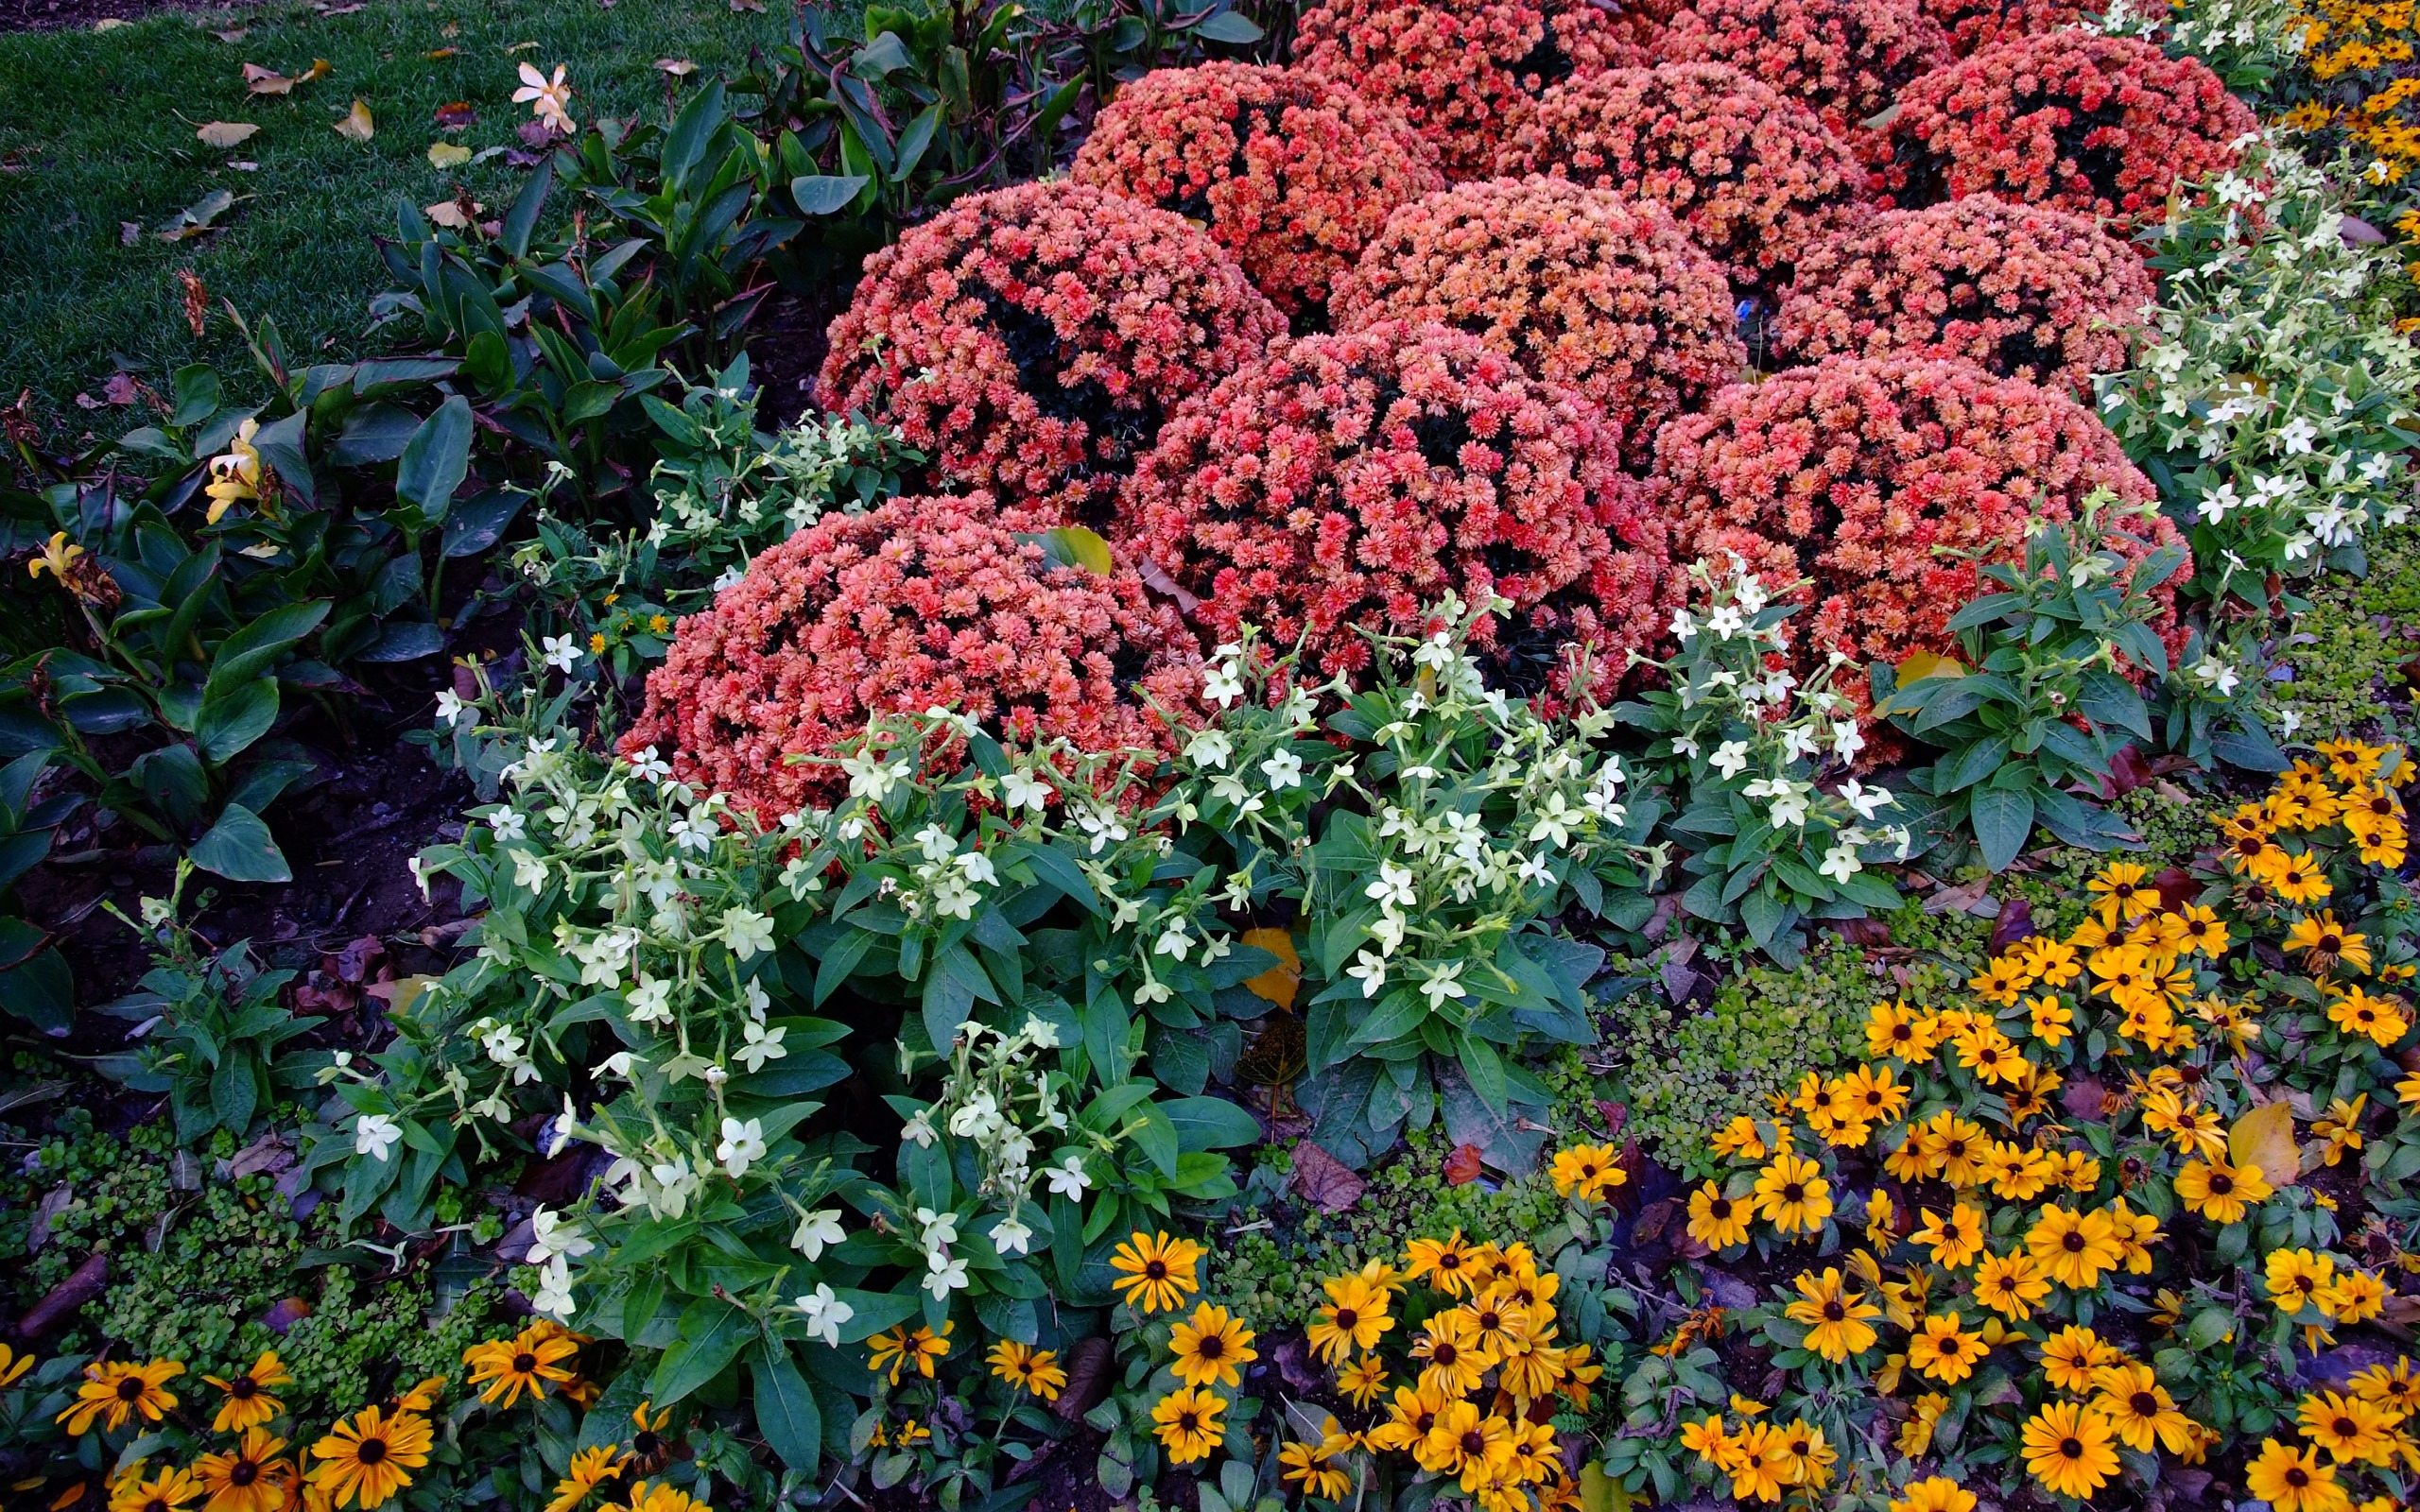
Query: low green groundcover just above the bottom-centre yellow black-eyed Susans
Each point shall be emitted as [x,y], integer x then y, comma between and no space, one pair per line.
[1272,1254]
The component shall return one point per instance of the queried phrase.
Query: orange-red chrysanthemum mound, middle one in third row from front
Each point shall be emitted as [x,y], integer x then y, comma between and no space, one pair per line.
[1748,173]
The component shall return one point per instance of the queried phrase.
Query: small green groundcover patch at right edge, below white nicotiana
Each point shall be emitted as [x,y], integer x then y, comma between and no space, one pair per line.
[2353,642]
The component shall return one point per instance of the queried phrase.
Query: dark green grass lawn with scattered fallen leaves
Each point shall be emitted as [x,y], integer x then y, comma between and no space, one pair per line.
[98,132]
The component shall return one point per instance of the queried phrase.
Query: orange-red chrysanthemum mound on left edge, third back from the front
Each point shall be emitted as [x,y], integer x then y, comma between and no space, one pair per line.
[1291,173]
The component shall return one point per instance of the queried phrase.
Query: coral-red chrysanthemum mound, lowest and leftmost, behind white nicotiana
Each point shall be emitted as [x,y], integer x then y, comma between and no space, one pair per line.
[918,604]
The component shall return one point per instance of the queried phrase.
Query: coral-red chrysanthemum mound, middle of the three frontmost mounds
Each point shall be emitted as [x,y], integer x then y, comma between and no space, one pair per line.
[1352,480]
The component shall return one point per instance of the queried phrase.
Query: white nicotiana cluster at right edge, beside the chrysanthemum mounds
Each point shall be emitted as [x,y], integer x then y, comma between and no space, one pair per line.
[2274,393]
